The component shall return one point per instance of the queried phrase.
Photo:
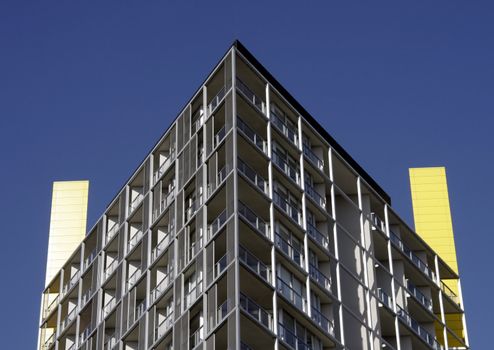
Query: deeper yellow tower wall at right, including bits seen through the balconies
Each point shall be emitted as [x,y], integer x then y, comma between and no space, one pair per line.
[432,216]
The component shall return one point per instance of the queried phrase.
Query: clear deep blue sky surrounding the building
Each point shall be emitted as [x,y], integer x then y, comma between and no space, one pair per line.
[86,88]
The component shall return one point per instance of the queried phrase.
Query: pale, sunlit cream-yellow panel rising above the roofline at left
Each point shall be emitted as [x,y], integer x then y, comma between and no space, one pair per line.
[67,223]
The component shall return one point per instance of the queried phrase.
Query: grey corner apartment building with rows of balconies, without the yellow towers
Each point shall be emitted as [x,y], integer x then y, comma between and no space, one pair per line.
[248,227]
